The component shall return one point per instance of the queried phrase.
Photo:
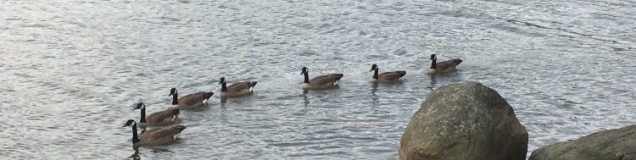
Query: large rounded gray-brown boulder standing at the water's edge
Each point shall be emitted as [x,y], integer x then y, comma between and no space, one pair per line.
[465,121]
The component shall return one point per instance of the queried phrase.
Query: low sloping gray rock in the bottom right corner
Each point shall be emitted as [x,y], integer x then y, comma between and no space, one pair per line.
[616,144]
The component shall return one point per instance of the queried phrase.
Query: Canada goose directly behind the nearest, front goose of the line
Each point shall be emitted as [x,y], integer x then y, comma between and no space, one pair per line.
[158,118]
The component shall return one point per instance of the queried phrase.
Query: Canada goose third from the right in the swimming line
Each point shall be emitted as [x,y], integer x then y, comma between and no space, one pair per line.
[326,81]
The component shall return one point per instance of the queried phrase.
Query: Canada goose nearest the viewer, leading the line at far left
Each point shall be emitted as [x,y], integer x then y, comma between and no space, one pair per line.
[157,136]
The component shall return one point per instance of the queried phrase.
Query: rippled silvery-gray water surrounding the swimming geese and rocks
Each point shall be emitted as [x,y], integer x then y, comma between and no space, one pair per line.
[72,69]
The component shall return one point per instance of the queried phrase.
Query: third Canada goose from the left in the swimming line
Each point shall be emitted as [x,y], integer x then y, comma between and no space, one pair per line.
[189,101]
